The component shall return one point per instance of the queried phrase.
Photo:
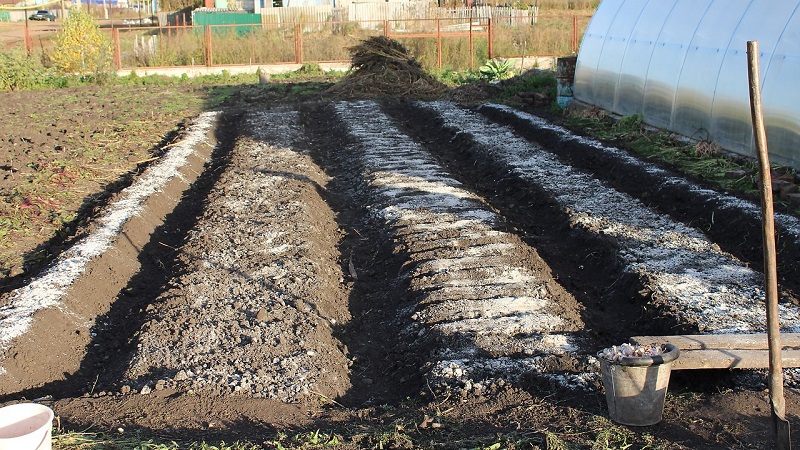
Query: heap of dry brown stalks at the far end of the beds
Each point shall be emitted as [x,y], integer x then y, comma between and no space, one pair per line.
[383,67]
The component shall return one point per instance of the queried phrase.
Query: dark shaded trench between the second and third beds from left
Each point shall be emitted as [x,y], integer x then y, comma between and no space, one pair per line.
[383,372]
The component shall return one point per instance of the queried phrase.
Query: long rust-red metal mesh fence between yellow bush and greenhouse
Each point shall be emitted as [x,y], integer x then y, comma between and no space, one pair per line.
[453,43]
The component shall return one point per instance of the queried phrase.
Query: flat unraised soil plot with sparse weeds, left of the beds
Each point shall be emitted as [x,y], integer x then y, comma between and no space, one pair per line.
[64,155]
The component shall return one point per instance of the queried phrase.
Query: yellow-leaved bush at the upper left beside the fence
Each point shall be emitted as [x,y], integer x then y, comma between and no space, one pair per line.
[81,47]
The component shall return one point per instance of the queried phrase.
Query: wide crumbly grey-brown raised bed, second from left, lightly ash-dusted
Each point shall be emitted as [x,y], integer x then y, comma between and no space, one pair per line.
[260,294]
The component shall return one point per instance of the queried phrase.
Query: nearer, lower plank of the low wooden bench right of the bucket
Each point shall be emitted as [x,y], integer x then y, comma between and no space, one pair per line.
[731,359]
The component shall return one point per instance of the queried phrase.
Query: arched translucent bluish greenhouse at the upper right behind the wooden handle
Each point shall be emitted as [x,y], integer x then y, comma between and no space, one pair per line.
[682,65]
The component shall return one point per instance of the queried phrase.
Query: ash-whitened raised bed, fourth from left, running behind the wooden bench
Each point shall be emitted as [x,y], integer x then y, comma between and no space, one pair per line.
[690,278]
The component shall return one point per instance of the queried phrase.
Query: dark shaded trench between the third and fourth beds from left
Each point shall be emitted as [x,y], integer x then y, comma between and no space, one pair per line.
[615,302]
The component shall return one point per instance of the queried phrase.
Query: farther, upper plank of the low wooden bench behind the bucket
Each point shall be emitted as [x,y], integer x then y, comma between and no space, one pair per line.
[719,341]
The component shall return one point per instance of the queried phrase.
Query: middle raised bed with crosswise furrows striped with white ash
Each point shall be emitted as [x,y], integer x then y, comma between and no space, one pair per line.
[482,304]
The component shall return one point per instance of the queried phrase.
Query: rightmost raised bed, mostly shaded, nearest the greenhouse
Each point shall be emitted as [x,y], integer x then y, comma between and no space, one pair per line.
[733,223]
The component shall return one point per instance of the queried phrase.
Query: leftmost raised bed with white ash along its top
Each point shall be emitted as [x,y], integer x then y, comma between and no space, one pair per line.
[49,328]
